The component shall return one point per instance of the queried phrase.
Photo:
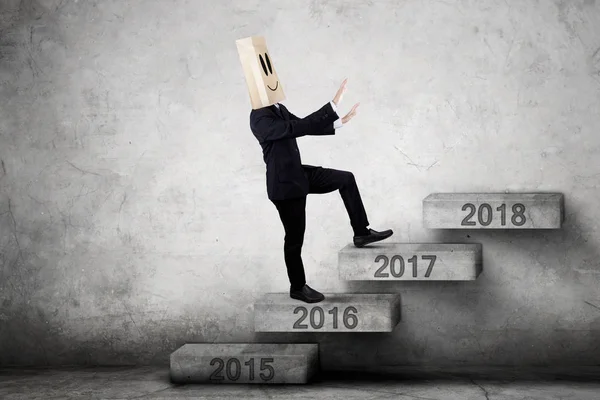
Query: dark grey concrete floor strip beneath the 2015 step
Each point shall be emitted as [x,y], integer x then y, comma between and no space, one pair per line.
[153,383]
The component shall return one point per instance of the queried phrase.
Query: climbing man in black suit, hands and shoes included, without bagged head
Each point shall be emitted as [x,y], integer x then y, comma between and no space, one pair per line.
[289,181]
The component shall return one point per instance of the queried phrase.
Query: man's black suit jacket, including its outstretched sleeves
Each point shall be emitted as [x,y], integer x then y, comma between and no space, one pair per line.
[276,131]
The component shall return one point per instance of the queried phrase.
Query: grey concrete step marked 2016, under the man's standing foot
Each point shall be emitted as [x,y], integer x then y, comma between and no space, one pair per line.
[277,312]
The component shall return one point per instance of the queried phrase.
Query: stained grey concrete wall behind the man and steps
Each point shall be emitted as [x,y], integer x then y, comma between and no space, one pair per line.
[133,208]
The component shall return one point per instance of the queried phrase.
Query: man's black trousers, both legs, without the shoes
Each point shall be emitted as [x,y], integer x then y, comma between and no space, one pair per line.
[293,216]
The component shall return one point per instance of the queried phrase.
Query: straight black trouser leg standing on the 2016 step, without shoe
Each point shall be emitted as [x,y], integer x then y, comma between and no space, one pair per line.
[293,216]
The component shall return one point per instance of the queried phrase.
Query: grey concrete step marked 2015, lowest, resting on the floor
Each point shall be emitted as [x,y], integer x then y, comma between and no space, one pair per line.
[244,363]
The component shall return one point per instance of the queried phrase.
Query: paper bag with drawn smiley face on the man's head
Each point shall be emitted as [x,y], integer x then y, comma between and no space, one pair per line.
[262,80]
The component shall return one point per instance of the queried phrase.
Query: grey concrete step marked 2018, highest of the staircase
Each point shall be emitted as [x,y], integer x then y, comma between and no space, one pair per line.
[493,211]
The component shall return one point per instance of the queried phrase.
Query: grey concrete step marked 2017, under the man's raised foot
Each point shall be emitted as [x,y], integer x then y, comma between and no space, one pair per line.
[410,262]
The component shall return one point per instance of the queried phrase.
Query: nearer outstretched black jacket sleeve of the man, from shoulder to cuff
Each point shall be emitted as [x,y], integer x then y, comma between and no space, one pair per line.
[267,127]
